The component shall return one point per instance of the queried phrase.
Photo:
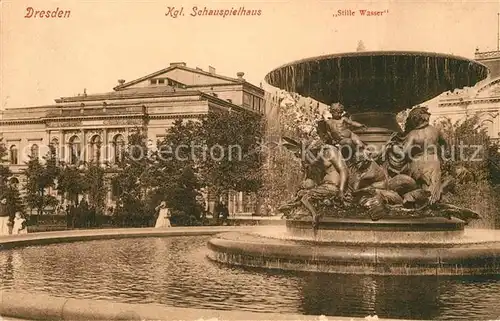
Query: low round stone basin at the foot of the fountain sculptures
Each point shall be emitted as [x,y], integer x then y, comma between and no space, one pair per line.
[442,251]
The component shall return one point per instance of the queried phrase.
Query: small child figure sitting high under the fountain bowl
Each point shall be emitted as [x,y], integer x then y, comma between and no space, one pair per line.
[338,128]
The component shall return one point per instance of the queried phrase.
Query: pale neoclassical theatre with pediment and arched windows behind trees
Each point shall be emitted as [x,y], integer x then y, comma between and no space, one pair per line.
[95,127]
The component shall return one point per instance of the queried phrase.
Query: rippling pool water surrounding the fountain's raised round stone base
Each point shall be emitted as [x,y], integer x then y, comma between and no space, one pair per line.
[174,271]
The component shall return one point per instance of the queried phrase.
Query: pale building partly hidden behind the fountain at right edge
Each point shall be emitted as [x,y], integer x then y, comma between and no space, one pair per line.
[482,100]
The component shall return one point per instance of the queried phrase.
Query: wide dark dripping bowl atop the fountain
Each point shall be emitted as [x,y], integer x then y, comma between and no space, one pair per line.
[377,81]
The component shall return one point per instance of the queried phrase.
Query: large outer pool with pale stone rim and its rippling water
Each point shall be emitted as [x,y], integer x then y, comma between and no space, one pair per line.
[116,272]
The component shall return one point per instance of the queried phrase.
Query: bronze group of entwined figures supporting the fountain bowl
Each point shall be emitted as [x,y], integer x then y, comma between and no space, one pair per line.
[403,180]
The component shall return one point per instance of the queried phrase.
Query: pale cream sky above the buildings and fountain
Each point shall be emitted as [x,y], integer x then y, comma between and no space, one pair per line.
[103,41]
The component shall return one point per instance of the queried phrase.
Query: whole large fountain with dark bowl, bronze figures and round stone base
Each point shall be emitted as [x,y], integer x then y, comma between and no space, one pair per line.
[371,212]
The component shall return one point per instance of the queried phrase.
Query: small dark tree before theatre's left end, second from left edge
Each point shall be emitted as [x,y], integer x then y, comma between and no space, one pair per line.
[39,177]
